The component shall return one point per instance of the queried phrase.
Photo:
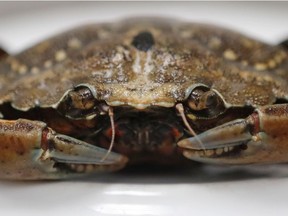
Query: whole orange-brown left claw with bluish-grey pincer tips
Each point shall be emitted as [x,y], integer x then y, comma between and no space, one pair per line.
[31,150]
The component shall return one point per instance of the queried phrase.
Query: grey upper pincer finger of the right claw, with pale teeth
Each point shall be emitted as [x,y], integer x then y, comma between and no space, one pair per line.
[224,140]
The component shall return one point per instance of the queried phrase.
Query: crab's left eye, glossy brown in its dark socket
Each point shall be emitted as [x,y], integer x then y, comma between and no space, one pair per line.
[79,103]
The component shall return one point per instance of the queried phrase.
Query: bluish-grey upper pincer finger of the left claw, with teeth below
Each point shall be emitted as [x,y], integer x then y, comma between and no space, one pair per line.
[72,156]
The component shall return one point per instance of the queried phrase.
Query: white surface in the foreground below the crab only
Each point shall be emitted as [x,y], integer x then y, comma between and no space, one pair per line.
[219,190]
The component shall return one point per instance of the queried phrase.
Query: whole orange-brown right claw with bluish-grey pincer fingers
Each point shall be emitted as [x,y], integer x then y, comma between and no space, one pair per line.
[264,135]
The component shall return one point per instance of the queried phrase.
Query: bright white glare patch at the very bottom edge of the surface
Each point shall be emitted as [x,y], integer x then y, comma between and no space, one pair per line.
[130,209]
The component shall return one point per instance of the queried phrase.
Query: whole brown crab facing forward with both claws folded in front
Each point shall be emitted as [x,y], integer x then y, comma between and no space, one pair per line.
[102,97]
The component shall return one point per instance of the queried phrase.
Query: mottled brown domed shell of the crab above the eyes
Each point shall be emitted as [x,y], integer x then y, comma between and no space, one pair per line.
[107,59]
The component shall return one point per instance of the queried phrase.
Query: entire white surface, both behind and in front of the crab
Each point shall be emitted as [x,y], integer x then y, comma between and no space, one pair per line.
[201,191]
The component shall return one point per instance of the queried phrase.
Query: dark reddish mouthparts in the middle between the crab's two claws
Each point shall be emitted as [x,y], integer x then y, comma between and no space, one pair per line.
[142,135]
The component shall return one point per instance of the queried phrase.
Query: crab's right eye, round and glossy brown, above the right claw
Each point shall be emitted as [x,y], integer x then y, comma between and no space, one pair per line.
[205,102]
